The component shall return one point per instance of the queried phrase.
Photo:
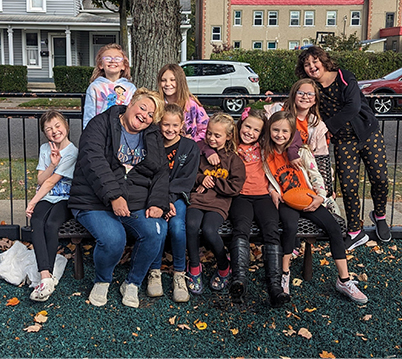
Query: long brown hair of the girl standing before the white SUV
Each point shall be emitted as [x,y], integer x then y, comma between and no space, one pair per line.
[182,91]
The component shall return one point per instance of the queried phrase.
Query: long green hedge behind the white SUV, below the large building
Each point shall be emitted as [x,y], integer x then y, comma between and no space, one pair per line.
[276,69]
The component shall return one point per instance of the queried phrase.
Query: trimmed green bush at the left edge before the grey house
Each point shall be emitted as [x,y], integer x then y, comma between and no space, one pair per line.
[13,78]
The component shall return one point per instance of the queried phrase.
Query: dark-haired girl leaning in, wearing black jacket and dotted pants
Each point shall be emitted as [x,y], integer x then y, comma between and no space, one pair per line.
[356,136]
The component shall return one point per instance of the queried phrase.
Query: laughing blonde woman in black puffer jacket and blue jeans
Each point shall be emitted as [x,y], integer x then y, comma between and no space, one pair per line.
[120,188]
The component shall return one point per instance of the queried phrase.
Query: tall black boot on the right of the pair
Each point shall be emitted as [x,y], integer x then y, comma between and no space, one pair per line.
[273,275]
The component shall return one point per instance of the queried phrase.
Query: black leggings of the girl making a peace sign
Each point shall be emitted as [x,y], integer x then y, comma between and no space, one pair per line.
[45,223]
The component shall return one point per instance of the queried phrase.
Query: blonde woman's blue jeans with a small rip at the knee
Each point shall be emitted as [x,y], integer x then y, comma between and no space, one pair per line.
[110,232]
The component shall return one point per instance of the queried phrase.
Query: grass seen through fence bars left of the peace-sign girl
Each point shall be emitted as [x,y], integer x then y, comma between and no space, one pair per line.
[18,178]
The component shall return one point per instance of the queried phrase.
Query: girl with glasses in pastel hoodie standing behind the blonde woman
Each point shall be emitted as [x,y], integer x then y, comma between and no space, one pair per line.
[110,82]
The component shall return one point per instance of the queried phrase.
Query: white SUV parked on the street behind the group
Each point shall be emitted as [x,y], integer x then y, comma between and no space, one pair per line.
[213,77]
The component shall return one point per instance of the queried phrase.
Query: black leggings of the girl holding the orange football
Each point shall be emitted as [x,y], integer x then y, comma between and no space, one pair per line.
[322,218]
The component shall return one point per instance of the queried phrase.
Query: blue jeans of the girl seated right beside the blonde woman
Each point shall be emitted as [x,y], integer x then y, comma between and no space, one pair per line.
[177,233]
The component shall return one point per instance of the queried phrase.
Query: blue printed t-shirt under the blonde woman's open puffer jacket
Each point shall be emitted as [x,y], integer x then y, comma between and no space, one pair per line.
[131,150]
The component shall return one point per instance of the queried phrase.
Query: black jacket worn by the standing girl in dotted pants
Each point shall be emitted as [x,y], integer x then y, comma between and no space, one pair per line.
[355,110]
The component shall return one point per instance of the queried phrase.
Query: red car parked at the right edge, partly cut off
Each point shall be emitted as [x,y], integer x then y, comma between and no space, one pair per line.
[389,84]
